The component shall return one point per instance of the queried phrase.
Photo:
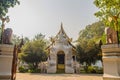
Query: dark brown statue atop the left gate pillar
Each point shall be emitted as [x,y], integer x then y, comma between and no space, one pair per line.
[7,36]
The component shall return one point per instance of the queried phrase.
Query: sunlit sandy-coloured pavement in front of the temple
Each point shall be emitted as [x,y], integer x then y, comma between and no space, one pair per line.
[29,76]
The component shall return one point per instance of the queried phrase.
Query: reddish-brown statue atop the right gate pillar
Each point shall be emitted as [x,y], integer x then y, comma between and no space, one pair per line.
[111,36]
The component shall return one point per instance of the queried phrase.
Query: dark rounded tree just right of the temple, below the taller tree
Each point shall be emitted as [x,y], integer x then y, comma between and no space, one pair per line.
[88,55]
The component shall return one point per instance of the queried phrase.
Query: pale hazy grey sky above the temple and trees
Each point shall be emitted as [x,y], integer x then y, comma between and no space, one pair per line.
[45,16]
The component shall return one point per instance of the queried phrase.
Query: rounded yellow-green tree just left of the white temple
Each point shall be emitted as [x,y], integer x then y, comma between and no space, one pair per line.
[33,52]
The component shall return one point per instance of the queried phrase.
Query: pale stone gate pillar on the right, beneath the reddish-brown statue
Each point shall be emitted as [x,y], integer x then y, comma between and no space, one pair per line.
[111,61]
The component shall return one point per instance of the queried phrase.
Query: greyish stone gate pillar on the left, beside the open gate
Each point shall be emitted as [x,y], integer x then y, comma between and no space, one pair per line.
[6,59]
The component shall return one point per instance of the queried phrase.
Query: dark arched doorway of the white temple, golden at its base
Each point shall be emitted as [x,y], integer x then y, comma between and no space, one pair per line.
[60,62]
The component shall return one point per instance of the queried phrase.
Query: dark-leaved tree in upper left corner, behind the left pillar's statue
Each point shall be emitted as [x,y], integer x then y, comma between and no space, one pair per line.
[4,6]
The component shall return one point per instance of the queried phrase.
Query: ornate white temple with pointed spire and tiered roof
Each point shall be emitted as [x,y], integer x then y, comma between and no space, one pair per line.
[62,54]
